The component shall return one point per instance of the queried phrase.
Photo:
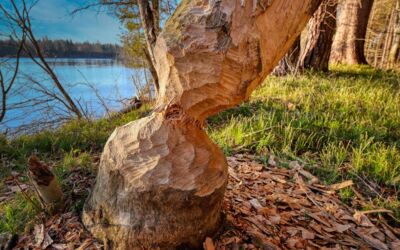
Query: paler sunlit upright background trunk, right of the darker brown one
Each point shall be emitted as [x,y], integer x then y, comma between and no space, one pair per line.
[349,41]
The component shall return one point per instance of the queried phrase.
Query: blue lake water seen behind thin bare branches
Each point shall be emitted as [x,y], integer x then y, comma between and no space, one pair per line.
[111,79]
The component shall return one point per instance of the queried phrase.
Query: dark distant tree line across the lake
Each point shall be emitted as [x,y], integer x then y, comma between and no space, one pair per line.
[62,49]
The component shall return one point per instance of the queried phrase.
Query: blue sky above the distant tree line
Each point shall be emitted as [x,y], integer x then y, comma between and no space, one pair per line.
[52,18]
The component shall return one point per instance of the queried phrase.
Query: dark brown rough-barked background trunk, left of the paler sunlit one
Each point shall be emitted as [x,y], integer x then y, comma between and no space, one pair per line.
[316,48]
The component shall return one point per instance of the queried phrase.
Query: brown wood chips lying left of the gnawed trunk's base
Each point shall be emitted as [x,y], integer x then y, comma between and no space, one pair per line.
[65,231]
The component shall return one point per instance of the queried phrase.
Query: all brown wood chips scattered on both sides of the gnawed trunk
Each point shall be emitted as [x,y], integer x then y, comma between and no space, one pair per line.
[266,207]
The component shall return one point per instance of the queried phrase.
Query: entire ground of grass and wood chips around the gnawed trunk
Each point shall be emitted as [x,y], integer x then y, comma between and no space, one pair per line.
[314,162]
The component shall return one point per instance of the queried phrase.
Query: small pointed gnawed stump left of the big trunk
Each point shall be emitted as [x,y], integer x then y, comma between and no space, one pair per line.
[45,182]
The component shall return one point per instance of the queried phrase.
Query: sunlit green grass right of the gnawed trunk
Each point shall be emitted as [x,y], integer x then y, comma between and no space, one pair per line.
[344,124]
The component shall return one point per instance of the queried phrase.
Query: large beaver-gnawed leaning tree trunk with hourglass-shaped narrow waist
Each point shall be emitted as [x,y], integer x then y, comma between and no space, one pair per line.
[161,180]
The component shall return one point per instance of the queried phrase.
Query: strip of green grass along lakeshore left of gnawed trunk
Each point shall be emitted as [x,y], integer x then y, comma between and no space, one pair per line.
[74,136]
